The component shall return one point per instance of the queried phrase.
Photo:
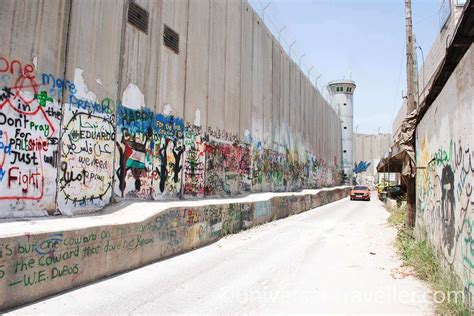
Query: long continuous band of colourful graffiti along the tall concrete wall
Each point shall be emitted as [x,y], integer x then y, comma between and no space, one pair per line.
[63,150]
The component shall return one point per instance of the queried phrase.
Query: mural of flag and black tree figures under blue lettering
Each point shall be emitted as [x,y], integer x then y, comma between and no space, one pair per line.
[150,150]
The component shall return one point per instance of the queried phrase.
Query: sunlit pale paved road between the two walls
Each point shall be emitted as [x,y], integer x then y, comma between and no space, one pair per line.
[336,258]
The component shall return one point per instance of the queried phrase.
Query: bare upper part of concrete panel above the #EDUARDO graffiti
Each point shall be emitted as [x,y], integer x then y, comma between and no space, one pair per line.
[89,55]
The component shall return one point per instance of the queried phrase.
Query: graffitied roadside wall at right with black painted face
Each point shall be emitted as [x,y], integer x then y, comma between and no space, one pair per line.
[445,174]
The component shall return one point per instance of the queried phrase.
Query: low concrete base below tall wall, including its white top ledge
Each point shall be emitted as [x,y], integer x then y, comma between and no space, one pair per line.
[44,257]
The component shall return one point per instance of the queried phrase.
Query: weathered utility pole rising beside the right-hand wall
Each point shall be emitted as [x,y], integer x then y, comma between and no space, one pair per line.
[411,106]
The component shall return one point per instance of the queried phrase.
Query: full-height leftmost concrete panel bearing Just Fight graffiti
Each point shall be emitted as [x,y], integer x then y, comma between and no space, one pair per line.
[33,41]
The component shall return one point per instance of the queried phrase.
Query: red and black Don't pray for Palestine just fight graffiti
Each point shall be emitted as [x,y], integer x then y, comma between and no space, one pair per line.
[29,129]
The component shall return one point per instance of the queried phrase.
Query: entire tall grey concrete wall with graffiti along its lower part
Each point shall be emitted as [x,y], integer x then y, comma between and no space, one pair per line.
[95,109]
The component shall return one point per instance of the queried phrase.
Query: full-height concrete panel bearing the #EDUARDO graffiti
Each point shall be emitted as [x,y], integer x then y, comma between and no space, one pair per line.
[86,146]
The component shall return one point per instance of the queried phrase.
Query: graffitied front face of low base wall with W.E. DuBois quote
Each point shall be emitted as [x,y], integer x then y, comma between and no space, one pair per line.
[64,259]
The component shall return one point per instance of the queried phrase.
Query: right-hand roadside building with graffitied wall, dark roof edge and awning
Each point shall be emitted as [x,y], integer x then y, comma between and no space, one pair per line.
[441,129]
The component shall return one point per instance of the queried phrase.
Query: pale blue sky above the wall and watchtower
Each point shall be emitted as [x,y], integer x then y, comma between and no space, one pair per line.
[362,38]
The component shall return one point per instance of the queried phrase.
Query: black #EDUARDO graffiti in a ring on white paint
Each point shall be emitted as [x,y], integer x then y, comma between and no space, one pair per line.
[86,166]
